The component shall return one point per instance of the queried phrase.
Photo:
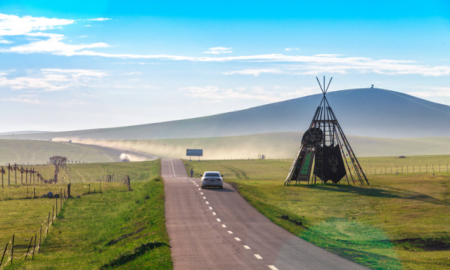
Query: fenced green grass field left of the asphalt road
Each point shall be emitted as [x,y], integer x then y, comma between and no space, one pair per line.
[113,229]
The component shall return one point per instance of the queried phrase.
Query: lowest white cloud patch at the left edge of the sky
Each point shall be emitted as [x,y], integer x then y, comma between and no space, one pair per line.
[53,79]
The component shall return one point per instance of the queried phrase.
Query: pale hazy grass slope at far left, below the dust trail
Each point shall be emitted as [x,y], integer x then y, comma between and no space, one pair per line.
[39,152]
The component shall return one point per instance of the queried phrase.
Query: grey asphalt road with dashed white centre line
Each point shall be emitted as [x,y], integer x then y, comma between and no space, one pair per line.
[218,229]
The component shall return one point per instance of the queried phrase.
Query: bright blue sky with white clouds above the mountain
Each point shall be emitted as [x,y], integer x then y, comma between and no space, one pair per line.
[70,65]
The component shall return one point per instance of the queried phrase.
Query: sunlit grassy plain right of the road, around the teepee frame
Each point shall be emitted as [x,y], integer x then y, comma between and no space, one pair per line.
[398,222]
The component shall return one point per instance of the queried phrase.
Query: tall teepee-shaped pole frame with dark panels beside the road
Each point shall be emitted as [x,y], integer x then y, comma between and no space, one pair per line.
[325,152]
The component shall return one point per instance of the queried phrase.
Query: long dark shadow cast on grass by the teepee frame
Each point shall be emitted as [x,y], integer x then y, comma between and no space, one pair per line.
[381,193]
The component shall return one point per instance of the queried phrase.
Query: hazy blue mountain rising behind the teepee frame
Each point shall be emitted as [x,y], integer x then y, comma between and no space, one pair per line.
[361,112]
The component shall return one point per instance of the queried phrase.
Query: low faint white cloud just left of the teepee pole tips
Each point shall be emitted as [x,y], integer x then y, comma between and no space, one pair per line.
[242,93]
